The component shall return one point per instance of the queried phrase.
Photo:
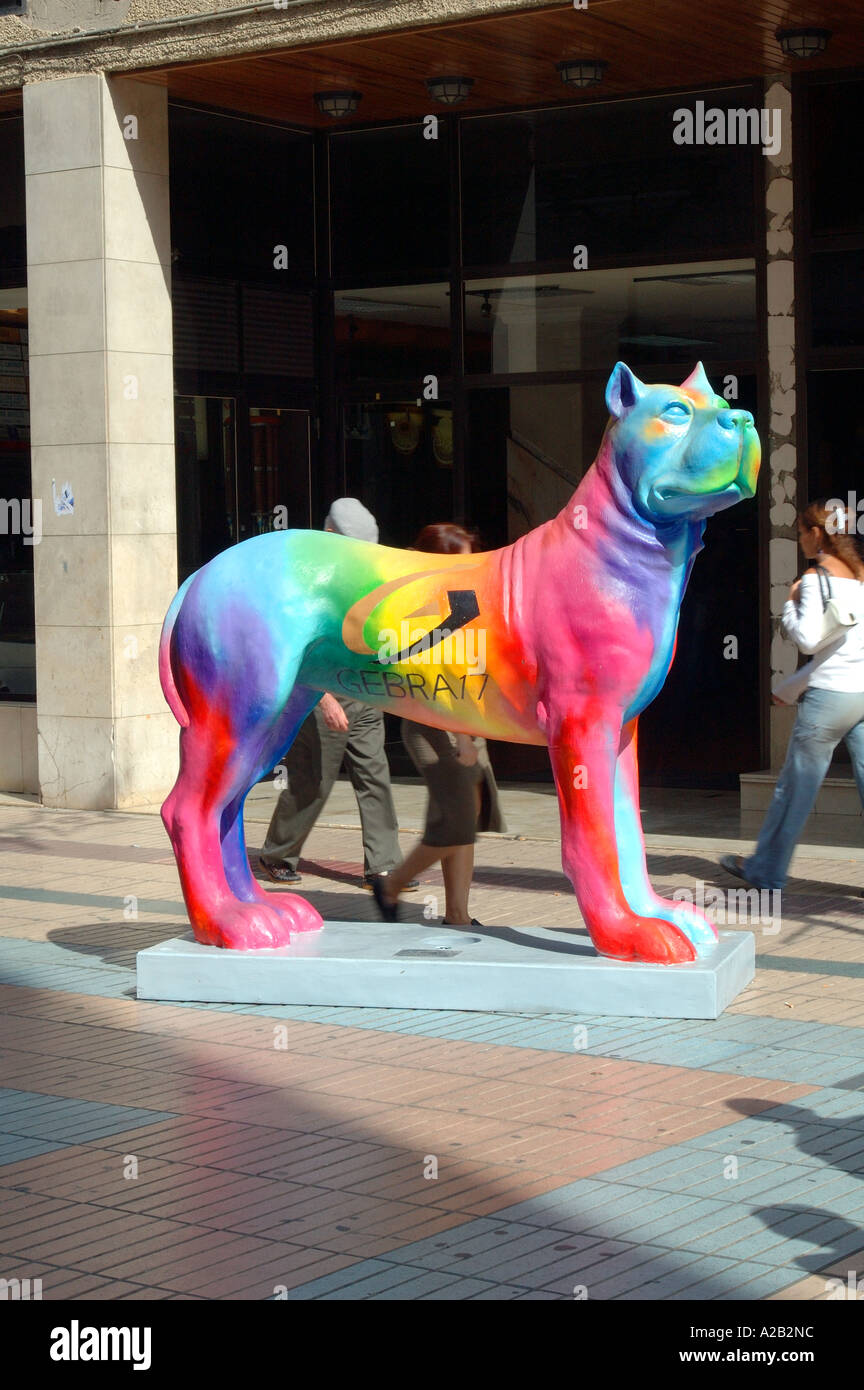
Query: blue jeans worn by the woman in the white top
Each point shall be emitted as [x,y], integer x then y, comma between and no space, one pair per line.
[824,718]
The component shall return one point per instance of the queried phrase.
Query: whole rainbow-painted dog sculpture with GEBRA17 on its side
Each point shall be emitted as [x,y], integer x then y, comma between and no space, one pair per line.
[579,625]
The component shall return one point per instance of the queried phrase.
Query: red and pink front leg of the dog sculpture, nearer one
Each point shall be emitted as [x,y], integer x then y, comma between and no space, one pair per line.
[584,742]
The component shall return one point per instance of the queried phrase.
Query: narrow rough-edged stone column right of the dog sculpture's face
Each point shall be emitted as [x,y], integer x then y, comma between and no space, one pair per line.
[783,439]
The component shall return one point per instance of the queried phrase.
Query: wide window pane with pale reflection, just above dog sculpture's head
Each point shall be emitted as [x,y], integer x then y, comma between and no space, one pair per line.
[592,319]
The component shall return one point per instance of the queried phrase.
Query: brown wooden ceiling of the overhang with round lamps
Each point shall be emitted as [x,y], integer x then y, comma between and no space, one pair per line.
[649,45]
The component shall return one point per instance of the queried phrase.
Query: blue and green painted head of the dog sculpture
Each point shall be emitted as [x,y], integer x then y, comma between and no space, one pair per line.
[681,451]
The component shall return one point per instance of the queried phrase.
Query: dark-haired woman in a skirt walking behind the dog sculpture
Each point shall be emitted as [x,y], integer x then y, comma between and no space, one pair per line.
[459,778]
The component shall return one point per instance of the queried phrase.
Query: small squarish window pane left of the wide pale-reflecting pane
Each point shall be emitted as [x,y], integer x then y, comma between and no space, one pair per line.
[394,334]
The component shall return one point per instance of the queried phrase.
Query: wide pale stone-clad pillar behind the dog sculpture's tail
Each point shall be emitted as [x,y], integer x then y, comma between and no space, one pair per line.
[102,419]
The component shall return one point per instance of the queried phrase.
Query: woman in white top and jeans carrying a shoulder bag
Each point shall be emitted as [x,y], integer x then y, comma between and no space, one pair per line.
[833,707]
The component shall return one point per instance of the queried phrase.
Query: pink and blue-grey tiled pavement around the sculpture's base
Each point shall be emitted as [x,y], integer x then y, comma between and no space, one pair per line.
[169,1152]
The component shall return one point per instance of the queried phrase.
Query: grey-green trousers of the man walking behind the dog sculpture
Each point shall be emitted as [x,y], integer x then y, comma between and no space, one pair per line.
[313,765]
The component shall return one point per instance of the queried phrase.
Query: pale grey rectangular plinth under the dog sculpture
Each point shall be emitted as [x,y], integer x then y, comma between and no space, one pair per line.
[408,967]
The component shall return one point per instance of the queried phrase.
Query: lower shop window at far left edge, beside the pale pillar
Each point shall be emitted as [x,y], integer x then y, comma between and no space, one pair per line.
[20,514]
